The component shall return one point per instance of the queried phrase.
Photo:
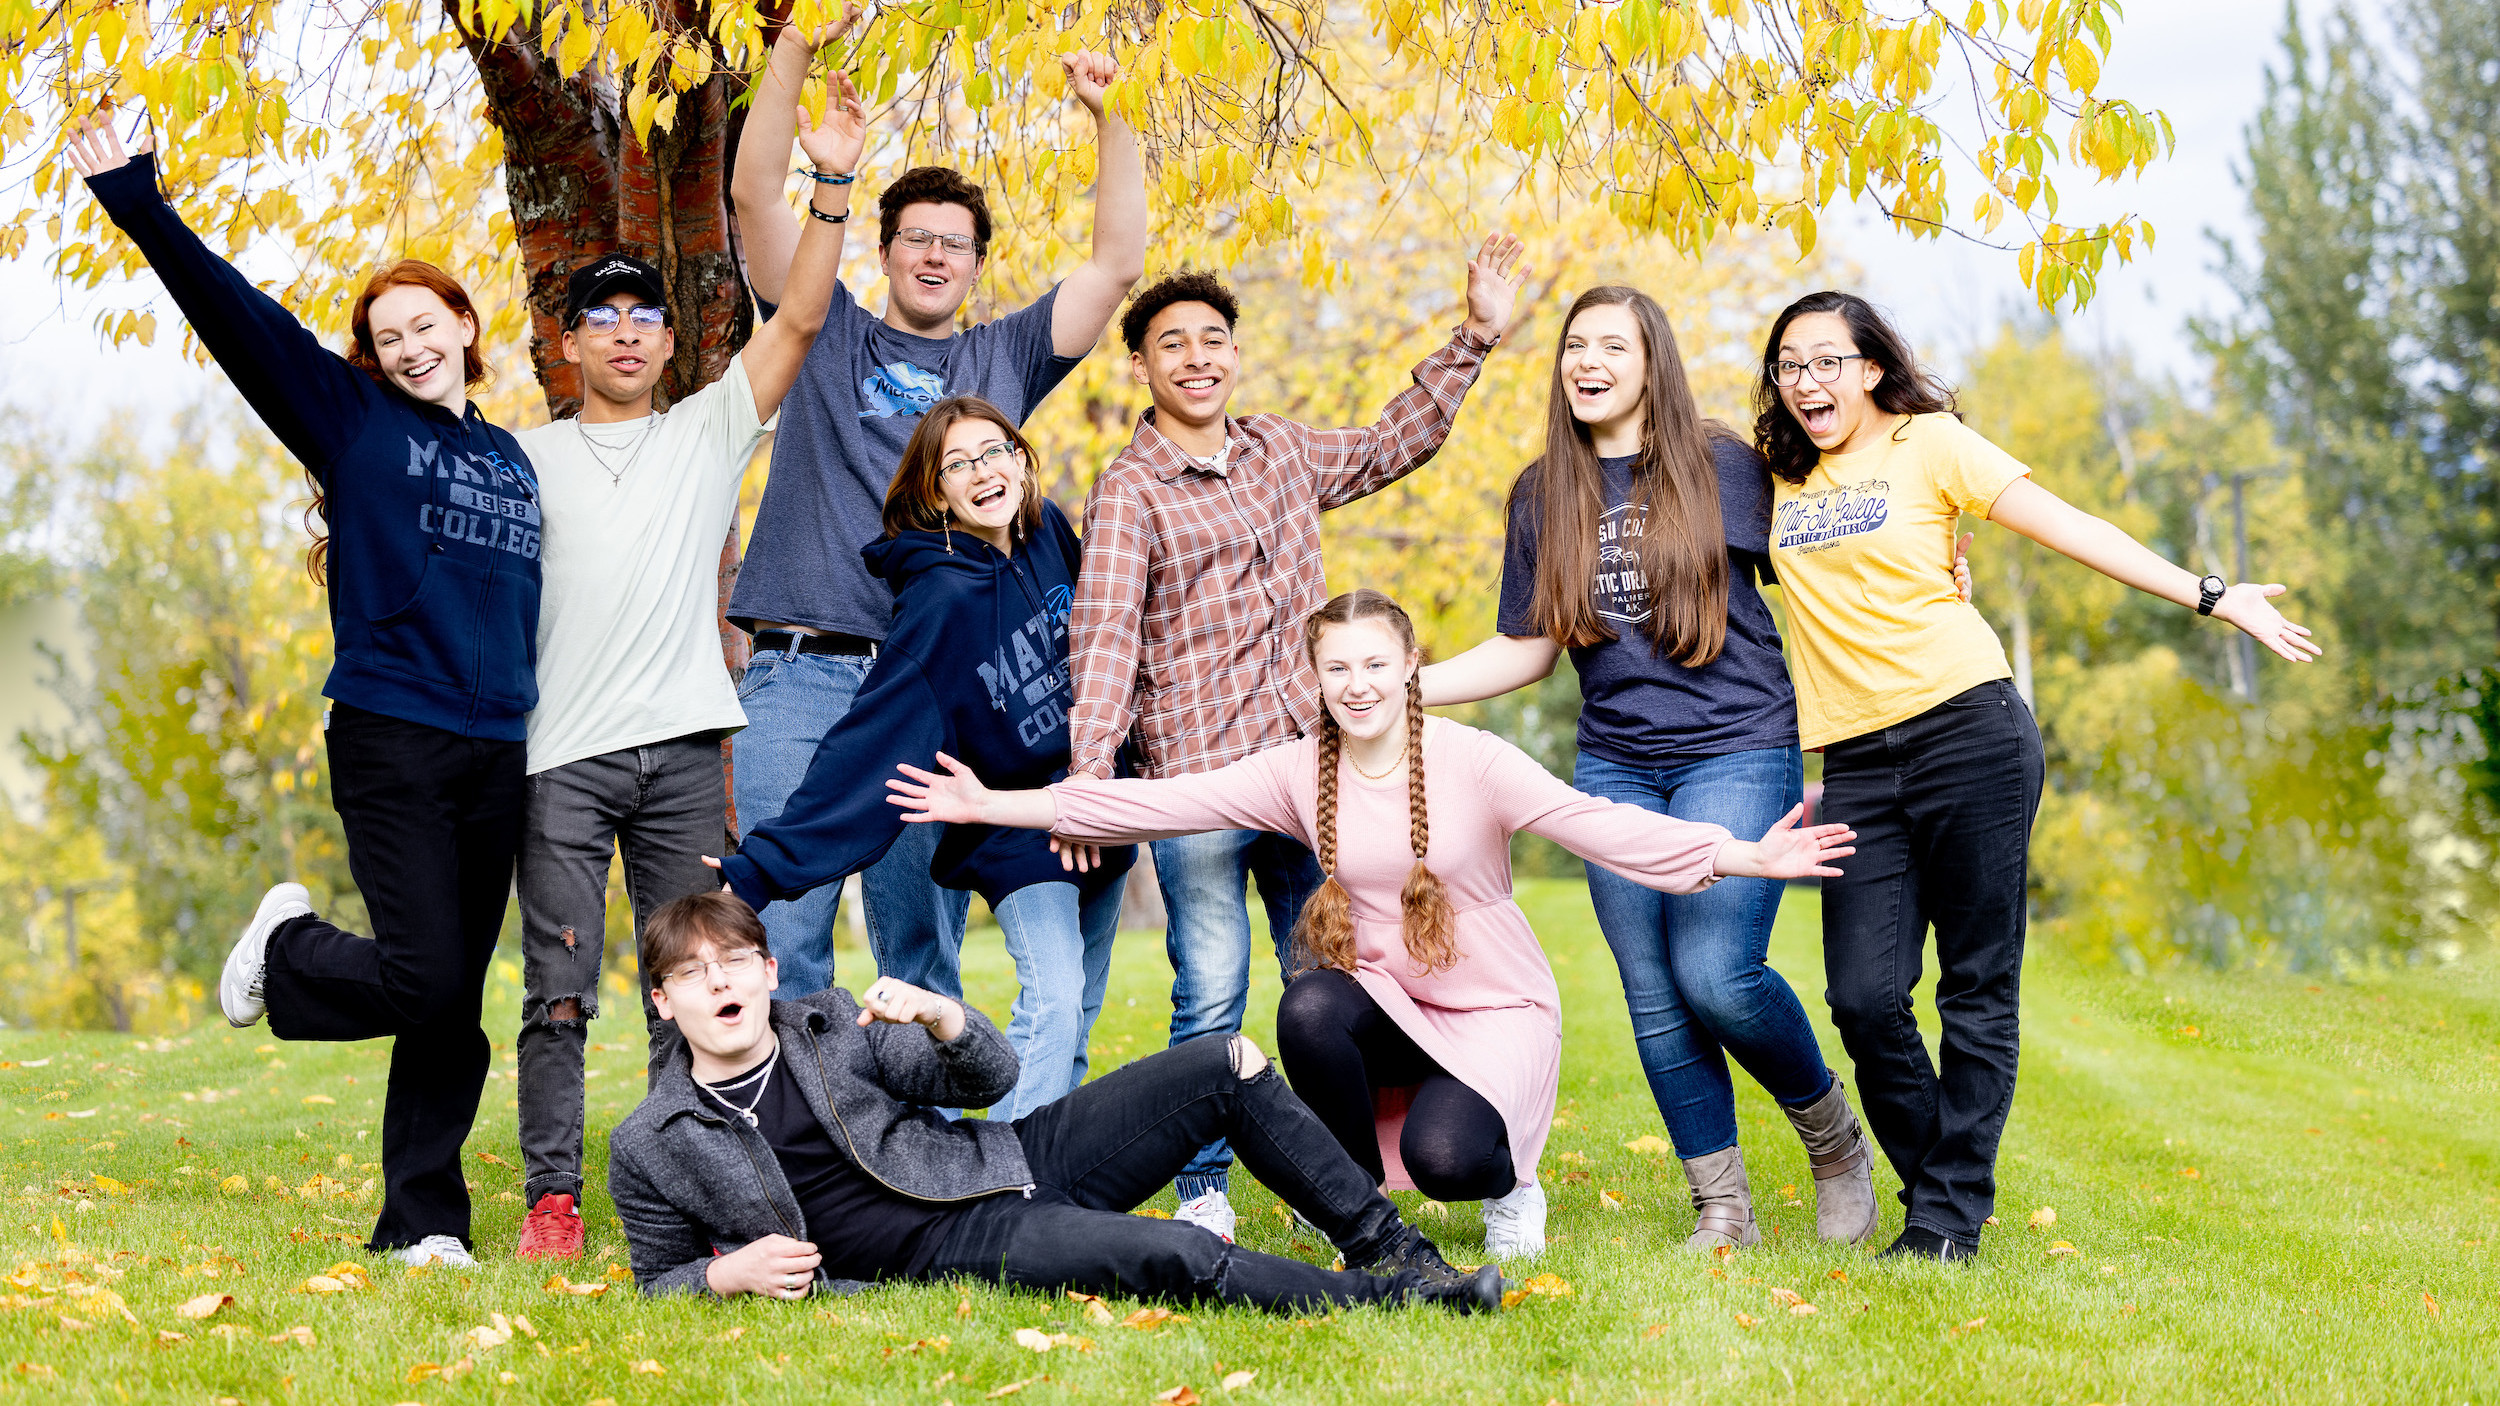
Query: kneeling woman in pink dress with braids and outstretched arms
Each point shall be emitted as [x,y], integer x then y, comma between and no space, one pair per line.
[1426,1027]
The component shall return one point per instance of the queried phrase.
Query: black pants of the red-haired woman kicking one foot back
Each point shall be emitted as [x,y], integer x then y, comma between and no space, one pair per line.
[434,824]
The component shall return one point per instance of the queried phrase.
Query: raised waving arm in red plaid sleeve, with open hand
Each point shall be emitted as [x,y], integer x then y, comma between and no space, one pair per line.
[1416,422]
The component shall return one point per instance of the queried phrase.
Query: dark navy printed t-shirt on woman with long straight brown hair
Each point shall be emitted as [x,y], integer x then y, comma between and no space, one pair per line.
[1639,704]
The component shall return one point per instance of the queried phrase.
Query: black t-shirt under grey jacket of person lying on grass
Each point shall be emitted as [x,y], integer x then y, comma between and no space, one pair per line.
[859,1225]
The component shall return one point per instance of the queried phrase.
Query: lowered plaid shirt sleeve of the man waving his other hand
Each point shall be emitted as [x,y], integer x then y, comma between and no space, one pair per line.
[1104,629]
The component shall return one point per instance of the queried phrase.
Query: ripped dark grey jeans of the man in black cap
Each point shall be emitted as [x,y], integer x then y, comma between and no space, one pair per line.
[664,807]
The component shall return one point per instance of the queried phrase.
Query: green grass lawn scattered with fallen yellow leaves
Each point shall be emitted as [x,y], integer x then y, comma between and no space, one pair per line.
[2264,1190]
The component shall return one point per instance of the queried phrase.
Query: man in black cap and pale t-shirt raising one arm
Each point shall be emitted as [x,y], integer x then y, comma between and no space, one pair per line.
[631,689]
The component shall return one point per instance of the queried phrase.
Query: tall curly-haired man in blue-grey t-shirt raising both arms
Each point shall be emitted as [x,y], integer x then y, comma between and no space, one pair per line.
[804,592]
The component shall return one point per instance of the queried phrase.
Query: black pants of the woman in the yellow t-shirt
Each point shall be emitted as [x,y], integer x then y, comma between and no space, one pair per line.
[1944,809]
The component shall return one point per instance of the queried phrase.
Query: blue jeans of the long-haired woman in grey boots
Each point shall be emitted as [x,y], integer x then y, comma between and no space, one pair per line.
[1691,964]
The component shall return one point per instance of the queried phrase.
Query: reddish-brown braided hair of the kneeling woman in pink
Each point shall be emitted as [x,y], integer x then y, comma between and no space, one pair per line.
[1326,932]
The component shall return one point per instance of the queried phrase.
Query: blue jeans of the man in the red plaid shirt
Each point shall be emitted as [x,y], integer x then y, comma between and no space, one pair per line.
[1206,902]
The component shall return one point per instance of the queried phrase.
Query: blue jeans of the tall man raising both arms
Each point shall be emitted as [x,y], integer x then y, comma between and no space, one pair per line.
[914,927]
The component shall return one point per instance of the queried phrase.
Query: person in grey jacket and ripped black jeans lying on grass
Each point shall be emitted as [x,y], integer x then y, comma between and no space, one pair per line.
[794,1147]
